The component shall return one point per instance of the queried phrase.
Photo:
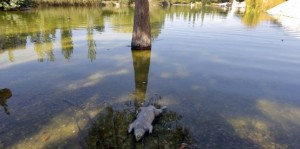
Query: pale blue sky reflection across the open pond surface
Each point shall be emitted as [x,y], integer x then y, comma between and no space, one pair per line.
[234,86]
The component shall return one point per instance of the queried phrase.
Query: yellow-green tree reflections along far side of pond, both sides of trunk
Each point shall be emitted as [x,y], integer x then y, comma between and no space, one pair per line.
[41,26]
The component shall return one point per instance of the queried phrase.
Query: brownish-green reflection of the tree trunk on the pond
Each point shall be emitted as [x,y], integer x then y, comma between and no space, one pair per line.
[141,64]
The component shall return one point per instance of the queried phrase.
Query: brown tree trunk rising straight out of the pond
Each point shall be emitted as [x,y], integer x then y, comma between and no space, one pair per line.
[141,36]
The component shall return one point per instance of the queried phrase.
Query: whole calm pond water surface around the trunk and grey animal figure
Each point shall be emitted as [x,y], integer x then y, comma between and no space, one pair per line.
[230,79]
